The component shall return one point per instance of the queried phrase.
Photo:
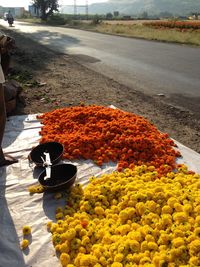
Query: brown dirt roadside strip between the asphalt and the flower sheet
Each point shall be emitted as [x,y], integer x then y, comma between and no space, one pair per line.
[52,80]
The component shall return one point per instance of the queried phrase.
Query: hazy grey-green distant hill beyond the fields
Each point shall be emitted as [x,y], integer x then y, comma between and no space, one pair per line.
[136,7]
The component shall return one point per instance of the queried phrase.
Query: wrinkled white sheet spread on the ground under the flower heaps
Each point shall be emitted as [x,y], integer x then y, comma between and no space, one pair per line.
[19,208]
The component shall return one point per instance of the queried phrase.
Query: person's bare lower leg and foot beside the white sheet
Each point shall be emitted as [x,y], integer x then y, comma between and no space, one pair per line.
[4,158]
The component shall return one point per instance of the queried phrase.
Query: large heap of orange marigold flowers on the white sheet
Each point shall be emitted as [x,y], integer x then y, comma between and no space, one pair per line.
[105,134]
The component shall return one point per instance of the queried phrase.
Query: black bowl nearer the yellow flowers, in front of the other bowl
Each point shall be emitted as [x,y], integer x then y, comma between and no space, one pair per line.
[62,177]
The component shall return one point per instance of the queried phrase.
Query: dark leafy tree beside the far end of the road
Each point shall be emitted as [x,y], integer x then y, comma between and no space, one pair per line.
[46,7]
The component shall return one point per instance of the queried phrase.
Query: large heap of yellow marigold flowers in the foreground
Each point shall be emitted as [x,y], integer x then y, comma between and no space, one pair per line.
[131,219]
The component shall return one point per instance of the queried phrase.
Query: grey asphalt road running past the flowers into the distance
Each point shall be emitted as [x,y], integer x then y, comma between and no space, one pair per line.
[148,66]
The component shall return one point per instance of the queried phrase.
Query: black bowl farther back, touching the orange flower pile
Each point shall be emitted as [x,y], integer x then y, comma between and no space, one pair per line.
[55,150]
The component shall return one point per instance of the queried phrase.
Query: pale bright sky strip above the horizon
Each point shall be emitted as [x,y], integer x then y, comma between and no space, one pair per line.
[25,3]
